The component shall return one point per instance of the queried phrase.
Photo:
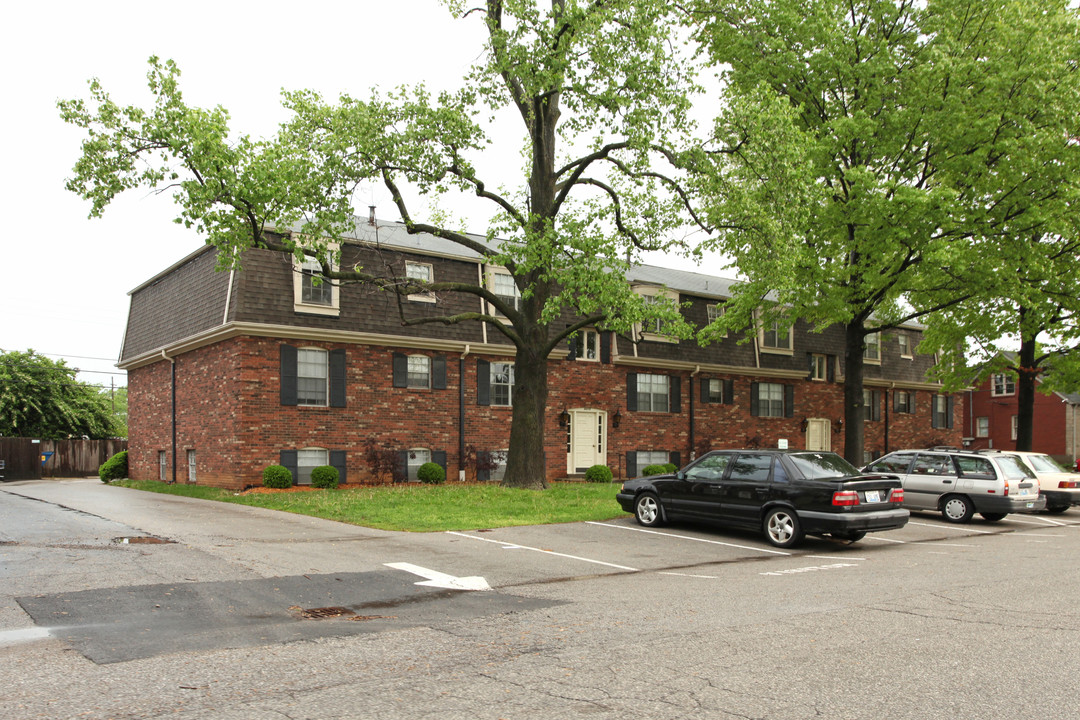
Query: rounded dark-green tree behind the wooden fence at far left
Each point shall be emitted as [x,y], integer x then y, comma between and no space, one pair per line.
[40,398]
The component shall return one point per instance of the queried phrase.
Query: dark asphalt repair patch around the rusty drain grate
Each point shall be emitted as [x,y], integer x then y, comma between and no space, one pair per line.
[120,624]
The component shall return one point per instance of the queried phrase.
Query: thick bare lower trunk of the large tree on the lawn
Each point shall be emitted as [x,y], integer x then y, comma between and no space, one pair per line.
[526,467]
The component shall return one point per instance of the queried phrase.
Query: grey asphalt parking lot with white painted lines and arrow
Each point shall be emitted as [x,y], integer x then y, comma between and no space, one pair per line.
[598,619]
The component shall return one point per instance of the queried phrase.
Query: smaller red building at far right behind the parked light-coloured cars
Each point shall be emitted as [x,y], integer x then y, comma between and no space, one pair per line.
[990,419]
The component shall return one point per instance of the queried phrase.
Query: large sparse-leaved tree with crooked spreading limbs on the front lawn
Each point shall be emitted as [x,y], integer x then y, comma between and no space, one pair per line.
[599,101]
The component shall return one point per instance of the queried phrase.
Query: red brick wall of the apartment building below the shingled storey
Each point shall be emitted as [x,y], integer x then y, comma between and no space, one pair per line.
[229,412]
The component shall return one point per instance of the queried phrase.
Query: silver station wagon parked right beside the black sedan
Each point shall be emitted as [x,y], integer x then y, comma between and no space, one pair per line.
[962,484]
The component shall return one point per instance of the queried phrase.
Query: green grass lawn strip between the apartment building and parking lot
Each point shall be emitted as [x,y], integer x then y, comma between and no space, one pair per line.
[425,508]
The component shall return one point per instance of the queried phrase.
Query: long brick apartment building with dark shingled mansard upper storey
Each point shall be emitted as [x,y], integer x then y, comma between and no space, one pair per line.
[232,372]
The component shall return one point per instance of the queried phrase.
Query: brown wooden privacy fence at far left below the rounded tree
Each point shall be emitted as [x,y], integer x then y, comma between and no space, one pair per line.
[21,458]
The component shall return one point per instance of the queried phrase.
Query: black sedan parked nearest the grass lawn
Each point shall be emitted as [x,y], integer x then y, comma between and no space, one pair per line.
[785,494]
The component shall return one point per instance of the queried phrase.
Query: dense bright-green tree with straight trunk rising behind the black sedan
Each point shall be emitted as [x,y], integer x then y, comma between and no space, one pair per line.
[903,145]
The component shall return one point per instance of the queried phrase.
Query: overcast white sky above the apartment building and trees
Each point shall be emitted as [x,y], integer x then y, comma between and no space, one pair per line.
[65,278]
